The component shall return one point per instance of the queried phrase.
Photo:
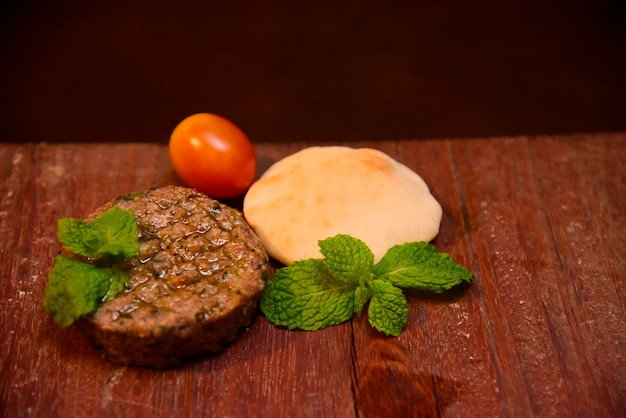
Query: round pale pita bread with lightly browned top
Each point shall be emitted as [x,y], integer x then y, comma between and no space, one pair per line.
[320,192]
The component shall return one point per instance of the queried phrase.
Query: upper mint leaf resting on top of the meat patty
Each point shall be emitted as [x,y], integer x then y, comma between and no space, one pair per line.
[112,235]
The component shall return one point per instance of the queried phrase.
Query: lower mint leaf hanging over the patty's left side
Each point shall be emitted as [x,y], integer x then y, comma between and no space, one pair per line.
[76,288]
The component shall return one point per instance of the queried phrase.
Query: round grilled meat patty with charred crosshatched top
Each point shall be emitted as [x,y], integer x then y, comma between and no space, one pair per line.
[196,281]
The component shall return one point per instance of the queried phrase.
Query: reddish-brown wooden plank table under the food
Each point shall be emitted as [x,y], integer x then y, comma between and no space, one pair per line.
[541,331]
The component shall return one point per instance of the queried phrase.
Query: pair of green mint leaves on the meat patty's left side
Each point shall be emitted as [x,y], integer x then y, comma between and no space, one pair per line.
[76,287]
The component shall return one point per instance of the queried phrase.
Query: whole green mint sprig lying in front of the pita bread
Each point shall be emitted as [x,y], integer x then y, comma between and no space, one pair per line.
[316,293]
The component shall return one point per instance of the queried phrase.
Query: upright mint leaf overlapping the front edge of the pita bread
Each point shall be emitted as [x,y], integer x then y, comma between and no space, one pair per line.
[348,259]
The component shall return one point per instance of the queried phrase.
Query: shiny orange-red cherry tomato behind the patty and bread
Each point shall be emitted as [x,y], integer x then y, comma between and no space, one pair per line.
[212,155]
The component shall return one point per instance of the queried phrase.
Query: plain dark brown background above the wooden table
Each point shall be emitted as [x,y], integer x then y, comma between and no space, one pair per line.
[310,70]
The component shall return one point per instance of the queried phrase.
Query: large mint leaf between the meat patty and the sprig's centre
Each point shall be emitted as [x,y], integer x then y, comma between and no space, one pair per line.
[305,295]
